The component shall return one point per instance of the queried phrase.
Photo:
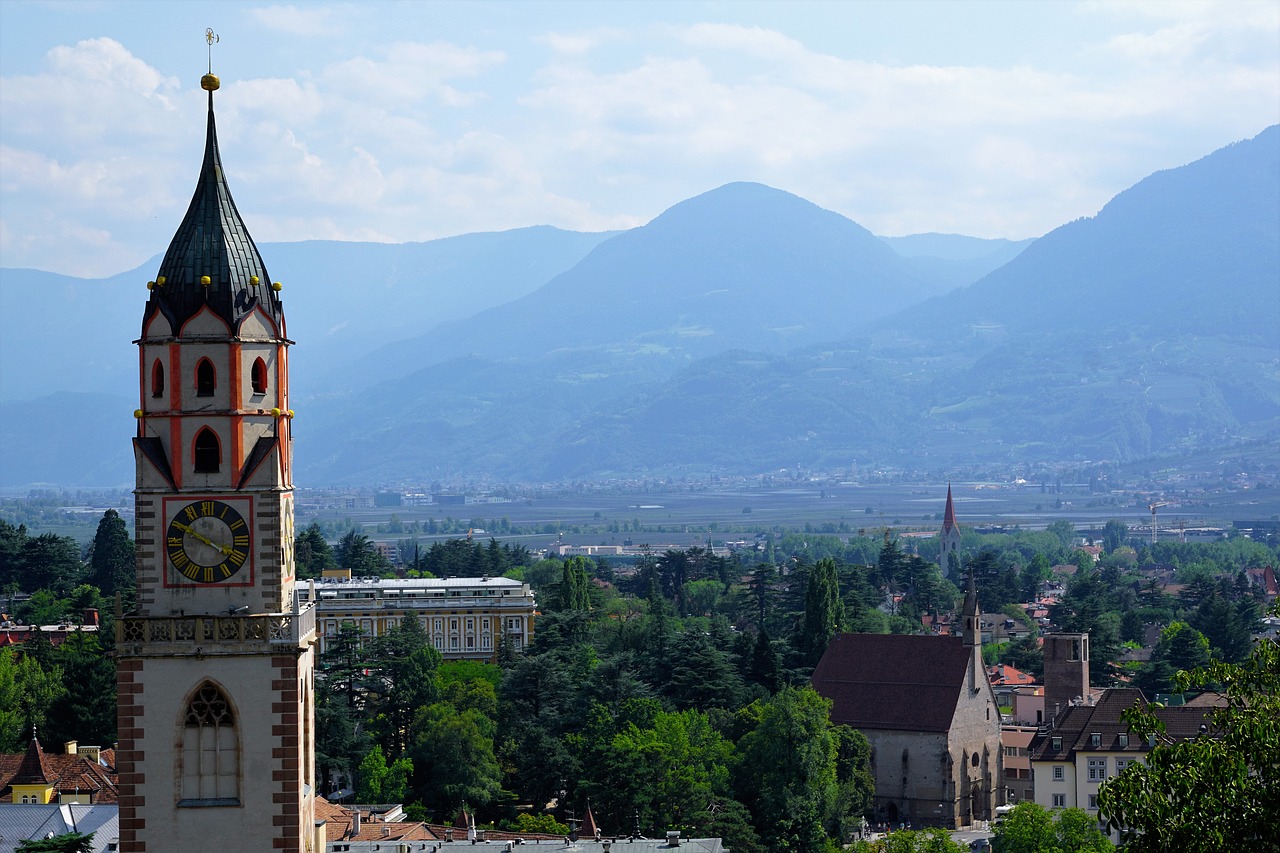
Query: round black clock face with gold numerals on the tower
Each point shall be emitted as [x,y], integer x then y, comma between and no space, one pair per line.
[208,541]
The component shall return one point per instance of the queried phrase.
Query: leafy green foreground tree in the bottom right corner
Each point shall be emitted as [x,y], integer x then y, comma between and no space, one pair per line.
[1217,792]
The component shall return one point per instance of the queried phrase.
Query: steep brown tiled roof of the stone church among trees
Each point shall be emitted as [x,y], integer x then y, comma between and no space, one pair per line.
[893,682]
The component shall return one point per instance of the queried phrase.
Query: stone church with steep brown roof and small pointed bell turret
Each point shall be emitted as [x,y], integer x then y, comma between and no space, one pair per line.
[931,717]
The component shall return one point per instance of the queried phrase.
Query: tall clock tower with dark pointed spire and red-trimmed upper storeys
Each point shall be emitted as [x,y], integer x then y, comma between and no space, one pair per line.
[216,665]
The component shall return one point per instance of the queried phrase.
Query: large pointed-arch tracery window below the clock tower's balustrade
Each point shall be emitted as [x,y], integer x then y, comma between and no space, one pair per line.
[211,750]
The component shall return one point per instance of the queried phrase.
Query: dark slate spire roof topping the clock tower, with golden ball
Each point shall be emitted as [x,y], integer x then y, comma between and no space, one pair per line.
[213,245]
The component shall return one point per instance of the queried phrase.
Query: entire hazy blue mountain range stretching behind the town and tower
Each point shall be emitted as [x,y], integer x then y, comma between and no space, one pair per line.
[742,331]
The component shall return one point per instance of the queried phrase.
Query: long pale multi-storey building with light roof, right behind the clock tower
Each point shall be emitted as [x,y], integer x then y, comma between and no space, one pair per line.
[467,618]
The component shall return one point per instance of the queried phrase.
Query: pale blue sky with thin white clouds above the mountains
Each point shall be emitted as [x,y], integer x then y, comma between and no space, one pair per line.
[400,122]
